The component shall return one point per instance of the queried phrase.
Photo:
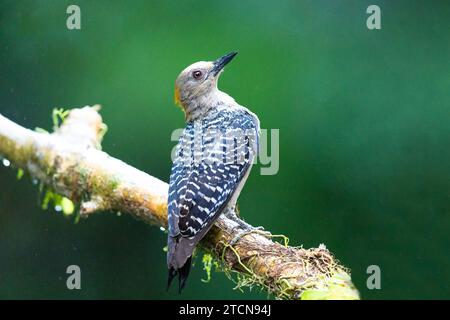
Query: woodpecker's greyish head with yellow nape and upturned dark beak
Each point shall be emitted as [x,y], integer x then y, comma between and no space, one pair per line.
[196,86]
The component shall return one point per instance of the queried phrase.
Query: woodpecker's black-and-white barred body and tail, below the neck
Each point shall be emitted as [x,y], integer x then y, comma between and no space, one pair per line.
[213,158]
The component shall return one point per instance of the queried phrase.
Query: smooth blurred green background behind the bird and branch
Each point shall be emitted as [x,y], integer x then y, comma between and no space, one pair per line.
[364,119]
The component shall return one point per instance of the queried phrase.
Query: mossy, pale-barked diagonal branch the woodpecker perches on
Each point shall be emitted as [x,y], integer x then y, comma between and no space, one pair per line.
[70,162]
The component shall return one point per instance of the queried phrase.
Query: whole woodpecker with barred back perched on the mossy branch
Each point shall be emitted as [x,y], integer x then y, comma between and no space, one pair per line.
[212,161]
